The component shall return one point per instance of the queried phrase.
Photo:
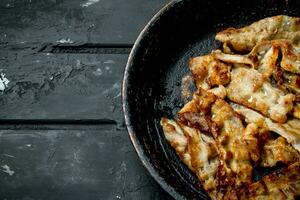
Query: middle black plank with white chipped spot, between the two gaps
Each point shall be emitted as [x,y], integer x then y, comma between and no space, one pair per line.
[61,86]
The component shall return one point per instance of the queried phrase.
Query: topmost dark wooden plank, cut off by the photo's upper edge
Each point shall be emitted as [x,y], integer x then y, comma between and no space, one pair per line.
[74,21]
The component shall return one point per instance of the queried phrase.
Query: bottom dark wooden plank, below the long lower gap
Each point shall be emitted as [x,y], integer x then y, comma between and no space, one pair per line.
[72,164]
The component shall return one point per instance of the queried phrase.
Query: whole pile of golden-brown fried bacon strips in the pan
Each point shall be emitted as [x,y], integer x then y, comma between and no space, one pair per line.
[242,103]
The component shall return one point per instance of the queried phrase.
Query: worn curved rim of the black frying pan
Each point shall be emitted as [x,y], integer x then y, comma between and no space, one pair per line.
[140,151]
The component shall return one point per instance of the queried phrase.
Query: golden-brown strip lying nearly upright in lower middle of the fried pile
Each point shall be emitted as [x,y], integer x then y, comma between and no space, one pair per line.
[233,151]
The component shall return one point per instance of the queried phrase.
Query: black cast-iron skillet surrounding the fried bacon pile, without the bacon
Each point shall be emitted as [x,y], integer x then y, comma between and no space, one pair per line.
[156,65]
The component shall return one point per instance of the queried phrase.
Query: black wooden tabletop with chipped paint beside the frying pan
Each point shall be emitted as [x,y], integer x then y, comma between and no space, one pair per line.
[62,129]
